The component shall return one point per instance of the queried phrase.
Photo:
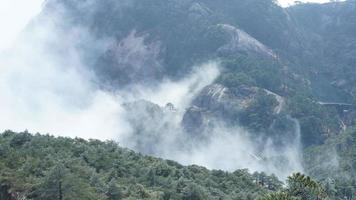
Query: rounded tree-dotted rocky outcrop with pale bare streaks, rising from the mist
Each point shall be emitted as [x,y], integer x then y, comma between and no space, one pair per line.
[230,106]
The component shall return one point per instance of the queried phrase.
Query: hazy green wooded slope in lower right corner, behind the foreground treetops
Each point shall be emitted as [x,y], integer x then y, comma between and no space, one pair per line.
[334,164]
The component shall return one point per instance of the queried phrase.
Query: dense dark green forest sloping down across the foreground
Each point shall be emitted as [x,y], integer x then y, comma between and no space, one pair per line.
[44,167]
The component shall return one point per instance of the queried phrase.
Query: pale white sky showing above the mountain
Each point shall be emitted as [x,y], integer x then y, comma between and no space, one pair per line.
[15,14]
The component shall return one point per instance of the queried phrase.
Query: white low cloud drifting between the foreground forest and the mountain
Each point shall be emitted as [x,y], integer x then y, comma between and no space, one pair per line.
[46,86]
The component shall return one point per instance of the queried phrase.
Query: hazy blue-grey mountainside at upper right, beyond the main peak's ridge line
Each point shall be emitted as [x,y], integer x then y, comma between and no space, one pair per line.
[328,32]
